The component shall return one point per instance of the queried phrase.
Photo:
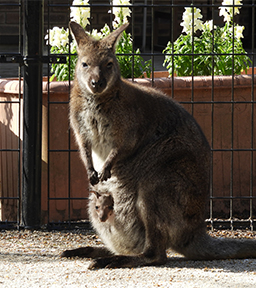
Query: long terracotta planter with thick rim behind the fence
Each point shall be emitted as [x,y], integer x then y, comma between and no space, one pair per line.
[213,108]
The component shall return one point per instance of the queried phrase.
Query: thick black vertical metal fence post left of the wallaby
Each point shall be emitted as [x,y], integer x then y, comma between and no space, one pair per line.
[32,123]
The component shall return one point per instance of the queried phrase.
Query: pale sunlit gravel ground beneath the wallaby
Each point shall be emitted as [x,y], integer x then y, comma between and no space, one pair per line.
[31,259]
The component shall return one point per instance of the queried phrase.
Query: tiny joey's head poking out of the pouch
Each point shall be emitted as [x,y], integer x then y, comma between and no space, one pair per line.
[104,205]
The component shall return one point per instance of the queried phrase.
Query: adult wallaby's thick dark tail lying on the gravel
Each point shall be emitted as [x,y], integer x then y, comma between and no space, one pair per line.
[207,248]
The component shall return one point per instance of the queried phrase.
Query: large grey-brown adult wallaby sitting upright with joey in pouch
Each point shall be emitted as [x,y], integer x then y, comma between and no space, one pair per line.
[155,163]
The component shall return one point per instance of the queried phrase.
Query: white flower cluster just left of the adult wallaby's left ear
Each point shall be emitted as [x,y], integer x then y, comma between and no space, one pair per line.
[58,37]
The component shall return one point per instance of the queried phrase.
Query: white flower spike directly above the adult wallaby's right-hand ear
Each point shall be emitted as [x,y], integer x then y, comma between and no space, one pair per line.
[121,13]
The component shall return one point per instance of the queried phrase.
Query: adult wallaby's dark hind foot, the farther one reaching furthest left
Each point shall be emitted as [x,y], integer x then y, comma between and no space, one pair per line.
[87,252]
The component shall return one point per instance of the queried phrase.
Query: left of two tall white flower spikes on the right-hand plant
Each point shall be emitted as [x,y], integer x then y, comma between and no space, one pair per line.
[189,17]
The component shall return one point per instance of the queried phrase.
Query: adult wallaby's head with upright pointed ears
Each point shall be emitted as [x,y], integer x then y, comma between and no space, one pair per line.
[97,69]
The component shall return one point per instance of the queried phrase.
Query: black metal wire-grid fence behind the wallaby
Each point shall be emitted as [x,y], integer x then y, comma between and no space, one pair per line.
[42,180]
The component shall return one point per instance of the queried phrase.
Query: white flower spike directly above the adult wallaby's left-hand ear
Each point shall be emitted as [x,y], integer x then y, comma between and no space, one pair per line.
[80,14]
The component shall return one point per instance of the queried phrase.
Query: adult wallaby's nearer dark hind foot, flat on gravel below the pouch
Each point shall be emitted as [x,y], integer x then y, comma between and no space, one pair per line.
[121,261]
